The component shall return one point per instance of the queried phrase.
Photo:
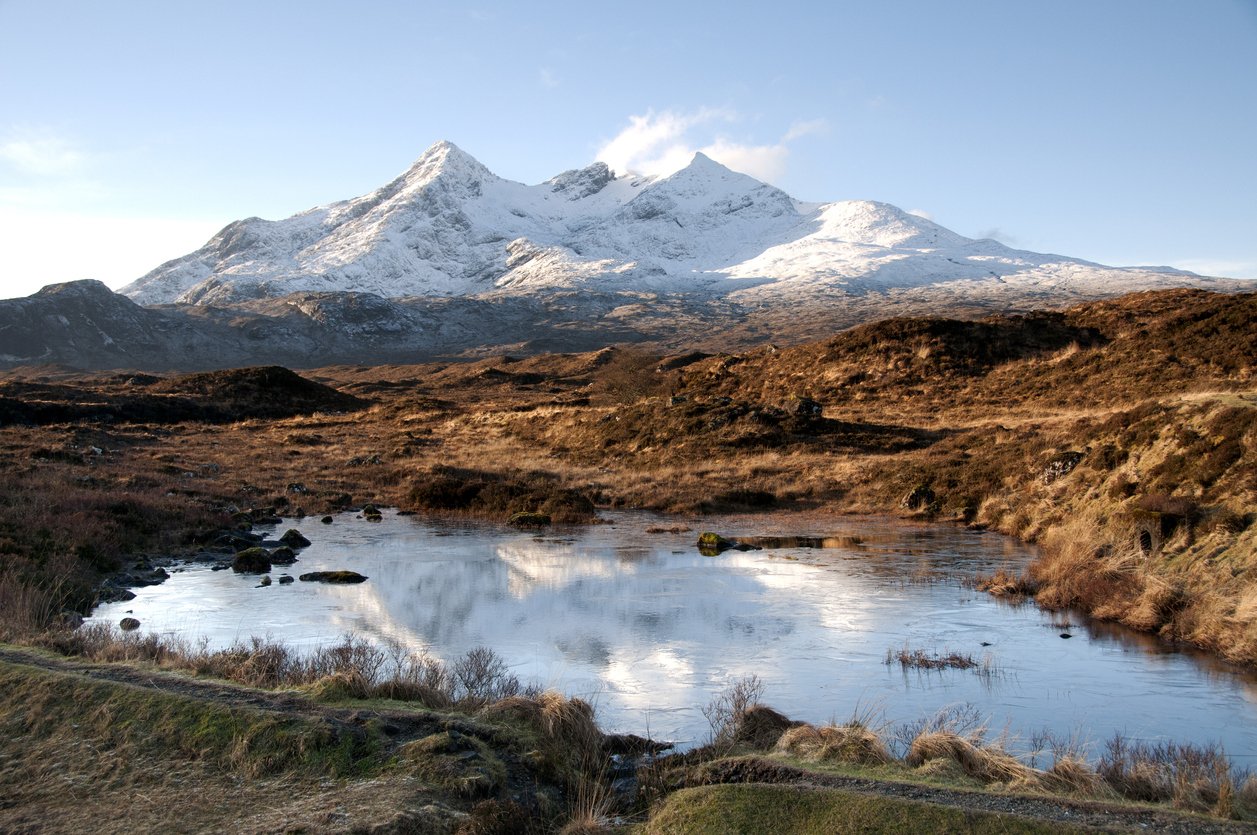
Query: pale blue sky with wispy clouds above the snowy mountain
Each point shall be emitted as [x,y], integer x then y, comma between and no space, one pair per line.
[1121,131]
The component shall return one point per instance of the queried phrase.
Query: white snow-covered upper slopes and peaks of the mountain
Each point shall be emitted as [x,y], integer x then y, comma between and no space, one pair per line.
[449,228]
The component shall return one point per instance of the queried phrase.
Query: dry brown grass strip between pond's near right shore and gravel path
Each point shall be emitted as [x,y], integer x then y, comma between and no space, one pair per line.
[952,750]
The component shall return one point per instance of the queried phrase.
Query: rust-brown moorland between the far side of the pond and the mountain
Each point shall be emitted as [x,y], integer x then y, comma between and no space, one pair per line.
[1122,436]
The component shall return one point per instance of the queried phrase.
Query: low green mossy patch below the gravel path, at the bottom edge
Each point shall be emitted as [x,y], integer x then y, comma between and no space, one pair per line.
[794,809]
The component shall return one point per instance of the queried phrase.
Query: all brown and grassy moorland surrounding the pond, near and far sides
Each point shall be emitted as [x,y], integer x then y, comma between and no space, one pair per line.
[1121,436]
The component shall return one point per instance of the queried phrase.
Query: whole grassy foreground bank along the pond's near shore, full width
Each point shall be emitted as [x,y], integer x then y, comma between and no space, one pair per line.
[145,746]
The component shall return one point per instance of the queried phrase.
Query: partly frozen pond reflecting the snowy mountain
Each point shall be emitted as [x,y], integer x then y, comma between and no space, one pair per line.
[650,631]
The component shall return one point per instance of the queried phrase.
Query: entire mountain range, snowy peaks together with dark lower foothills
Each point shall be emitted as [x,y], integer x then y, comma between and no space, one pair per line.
[452,261]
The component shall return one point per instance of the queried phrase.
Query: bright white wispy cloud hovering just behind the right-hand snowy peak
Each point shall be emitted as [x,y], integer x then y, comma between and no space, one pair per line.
[666,141]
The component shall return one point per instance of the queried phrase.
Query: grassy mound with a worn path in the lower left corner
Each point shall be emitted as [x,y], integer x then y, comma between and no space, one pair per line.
[119,749]
